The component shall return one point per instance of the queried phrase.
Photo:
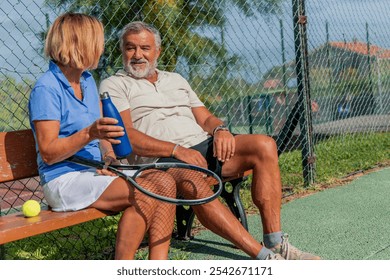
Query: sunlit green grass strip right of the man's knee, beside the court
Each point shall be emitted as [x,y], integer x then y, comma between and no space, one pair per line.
[338,157]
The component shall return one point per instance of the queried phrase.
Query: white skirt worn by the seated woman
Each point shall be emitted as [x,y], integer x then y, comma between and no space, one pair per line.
[76,190]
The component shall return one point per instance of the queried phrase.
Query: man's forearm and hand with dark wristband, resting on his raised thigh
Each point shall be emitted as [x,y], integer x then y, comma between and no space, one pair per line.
[224,142]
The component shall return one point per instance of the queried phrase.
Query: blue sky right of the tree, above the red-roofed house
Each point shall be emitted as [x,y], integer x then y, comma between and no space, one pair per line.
[260,40]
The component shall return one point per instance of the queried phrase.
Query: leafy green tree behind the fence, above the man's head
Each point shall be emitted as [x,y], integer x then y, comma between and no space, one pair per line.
[178,21]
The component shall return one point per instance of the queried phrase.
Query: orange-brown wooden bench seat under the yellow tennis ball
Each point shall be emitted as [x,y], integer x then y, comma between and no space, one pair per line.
[15,226]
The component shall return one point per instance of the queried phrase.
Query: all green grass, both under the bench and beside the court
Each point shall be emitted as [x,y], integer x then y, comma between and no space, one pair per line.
[336,158]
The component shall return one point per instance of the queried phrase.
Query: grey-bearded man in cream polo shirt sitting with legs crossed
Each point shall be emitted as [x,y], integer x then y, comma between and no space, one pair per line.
[165,120]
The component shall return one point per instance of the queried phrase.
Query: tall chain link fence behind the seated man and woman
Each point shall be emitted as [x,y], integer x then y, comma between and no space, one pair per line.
[307,73]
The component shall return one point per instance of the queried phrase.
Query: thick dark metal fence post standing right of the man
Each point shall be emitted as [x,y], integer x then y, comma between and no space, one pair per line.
[302,71]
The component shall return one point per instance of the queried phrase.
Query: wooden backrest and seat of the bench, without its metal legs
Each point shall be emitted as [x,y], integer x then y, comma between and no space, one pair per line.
[18,161]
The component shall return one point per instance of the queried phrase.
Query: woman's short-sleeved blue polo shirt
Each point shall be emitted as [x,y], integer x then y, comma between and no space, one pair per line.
[52,98]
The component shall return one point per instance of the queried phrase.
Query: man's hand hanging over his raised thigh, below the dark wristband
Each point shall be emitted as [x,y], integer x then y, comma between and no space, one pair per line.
[224,145]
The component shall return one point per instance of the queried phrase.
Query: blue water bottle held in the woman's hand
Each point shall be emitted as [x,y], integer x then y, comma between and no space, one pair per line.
[123,149]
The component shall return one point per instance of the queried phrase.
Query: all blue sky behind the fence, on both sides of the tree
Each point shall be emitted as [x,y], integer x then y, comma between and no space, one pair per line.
[256,40]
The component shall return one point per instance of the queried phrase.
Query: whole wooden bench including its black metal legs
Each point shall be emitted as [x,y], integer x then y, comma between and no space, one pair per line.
[18,162]
